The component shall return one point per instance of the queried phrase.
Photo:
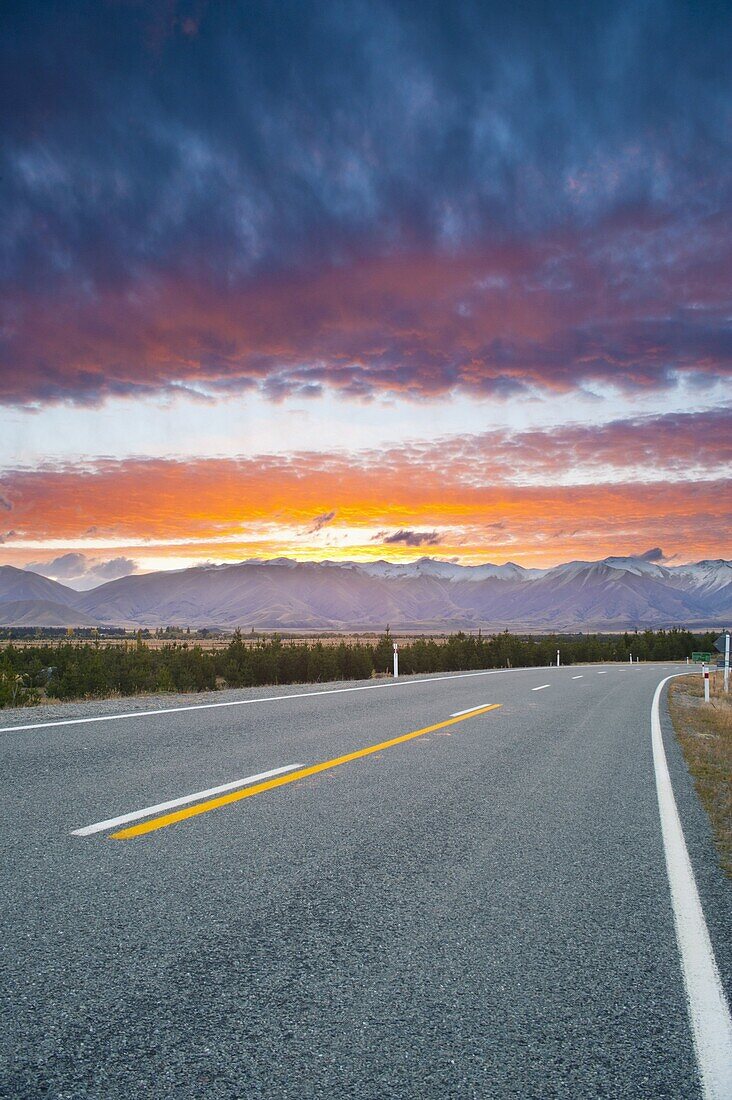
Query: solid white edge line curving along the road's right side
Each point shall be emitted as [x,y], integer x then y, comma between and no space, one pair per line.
[712,1025]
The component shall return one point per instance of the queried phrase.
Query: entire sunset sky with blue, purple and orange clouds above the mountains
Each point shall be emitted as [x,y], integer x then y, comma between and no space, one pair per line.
[364,280]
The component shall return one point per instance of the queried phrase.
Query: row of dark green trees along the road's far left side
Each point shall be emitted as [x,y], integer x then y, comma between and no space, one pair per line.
[68,670]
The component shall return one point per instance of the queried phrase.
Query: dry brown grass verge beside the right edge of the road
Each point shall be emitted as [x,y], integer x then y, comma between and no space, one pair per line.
[705,733]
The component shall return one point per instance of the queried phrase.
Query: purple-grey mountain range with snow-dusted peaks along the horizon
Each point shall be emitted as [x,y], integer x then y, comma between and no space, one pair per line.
[429,595]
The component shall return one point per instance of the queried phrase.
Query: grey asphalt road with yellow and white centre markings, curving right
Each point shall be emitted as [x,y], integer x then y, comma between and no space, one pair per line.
[482,910]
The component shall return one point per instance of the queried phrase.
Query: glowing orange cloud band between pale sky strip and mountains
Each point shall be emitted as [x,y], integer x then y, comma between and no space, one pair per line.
[580,491]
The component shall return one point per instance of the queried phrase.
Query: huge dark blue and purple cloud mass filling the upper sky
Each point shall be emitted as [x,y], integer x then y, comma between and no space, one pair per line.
[225,196]
